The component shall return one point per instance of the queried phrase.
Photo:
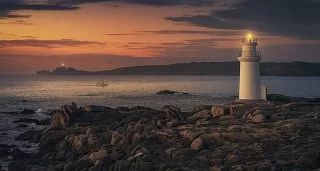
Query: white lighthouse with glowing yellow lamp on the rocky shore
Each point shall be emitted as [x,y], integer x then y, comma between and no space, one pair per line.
[250,89]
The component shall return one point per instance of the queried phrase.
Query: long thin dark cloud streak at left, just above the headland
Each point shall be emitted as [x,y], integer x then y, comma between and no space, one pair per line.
[45,43]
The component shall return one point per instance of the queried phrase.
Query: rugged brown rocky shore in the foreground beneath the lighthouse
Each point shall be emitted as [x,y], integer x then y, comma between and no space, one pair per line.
[283,134]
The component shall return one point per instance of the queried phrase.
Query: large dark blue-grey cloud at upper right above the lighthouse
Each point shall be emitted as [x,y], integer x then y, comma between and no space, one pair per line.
[293,18]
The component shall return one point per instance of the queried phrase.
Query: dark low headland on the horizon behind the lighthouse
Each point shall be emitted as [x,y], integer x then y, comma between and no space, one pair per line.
[201,68]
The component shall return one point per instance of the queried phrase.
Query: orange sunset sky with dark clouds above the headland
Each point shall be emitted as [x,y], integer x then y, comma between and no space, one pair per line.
[43,34]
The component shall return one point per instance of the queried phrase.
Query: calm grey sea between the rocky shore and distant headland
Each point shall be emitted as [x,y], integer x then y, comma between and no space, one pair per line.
[44,93]
